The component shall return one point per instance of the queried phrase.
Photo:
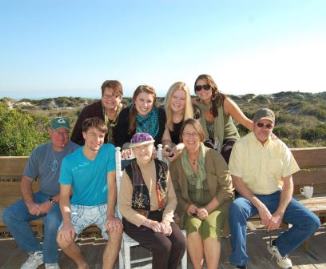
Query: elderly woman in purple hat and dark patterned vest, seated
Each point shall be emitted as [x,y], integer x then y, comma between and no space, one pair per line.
[147,202]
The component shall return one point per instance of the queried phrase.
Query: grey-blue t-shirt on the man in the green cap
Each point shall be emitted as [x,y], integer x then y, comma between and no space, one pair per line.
[44,164]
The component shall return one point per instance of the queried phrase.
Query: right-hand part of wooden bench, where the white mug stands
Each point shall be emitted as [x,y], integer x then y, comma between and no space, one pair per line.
[312,162]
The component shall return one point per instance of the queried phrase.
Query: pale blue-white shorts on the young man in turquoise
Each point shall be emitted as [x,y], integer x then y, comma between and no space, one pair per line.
[84,216]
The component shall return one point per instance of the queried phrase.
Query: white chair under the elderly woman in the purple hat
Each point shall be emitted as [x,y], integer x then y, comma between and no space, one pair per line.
[127,243]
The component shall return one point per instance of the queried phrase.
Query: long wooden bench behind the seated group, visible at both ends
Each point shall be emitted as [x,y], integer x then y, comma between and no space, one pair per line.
[312,162]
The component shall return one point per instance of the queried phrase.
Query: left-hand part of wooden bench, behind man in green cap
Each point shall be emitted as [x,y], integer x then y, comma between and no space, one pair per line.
[11,170]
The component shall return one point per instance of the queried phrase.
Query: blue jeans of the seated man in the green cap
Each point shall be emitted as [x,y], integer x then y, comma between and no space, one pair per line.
[17,218]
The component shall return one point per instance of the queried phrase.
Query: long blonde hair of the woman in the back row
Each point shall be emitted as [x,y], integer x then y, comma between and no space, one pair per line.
[188,111]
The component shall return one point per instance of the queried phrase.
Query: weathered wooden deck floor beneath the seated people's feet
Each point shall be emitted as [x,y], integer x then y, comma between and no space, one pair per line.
[315,257]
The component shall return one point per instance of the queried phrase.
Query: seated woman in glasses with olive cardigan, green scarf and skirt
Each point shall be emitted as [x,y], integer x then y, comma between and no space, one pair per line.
[204,190]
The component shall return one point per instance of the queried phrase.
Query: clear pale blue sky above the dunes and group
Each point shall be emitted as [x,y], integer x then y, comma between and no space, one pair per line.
[69,47]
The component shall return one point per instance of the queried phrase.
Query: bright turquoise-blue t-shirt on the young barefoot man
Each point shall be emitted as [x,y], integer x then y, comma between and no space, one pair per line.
[88,178]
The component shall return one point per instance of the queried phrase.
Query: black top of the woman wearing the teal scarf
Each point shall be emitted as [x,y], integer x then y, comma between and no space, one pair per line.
[121,133]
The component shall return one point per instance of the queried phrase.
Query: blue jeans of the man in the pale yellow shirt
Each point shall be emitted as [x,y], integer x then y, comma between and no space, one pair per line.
[304,222]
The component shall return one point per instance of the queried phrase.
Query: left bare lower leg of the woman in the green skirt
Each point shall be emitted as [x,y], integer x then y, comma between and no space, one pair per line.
[195,250]
